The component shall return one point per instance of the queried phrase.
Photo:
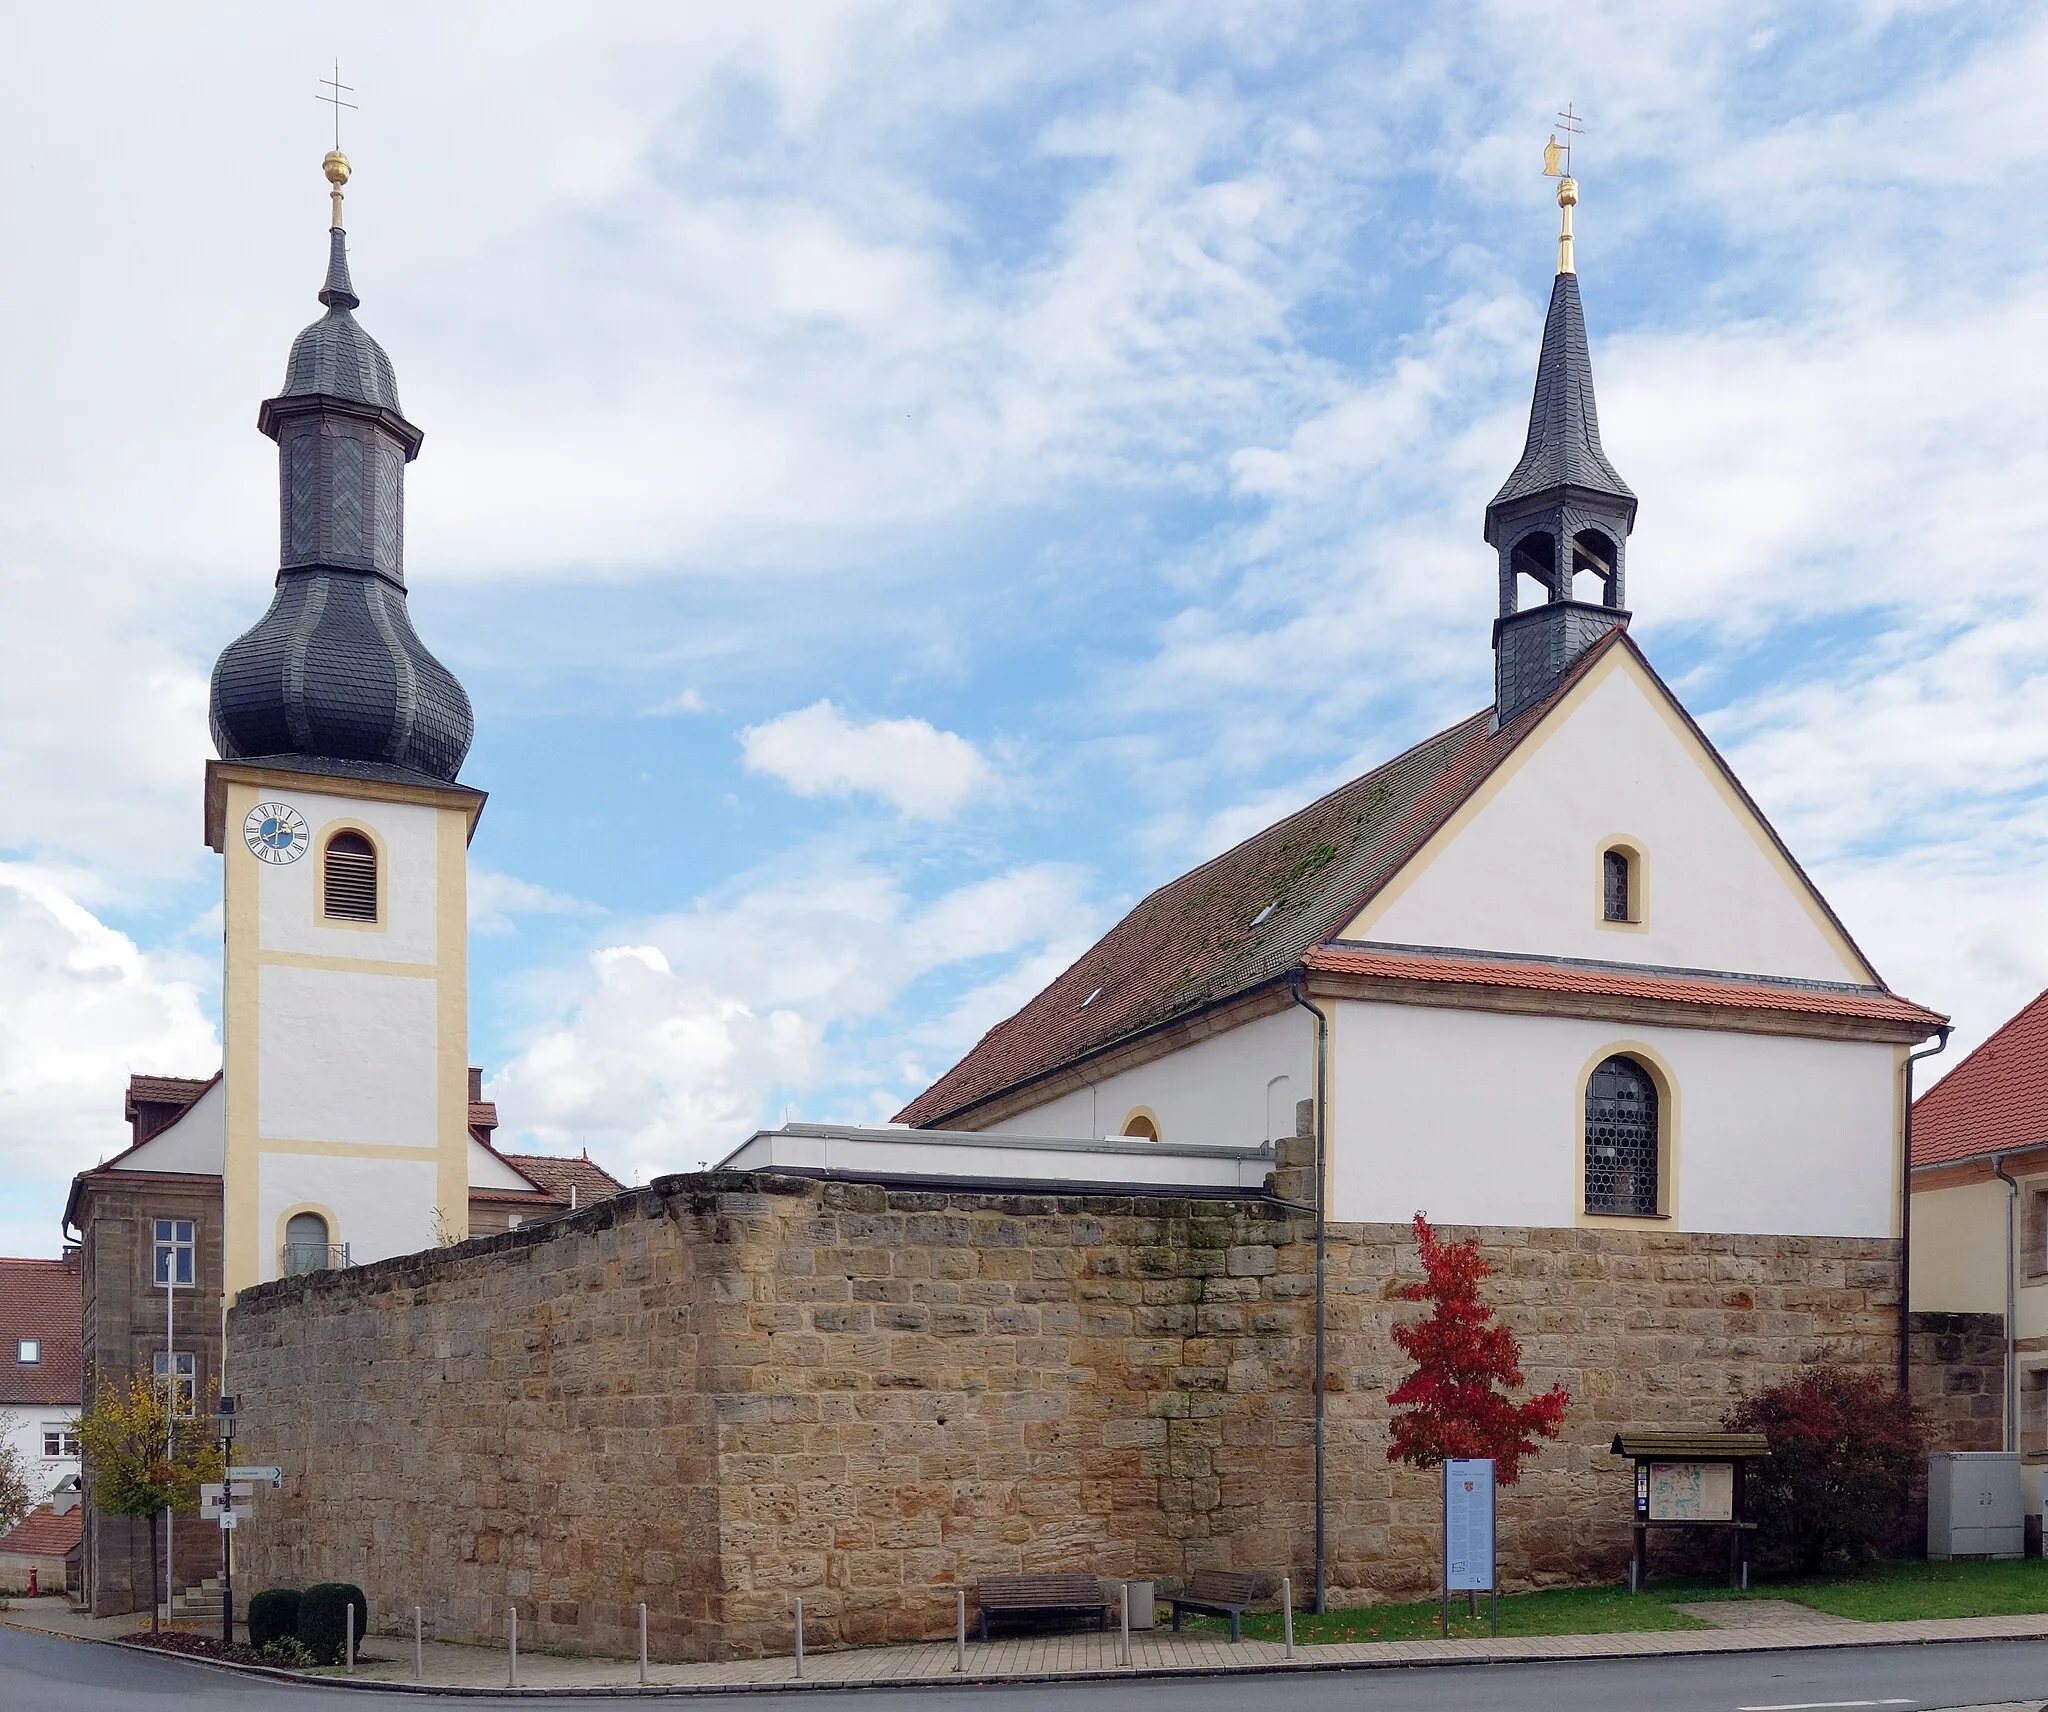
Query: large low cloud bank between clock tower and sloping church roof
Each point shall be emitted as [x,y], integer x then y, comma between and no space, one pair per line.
[790,996]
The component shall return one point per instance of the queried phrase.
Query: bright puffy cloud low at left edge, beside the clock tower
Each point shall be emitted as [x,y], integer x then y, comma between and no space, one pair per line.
[81,1011]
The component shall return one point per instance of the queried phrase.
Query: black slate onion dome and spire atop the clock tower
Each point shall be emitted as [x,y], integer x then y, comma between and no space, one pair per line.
[335,675]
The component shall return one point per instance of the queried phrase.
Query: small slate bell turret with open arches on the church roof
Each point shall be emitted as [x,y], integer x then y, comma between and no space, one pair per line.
[1562,513]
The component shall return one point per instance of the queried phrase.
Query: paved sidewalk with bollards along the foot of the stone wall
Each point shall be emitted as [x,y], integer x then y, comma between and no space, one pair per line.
[390,1658]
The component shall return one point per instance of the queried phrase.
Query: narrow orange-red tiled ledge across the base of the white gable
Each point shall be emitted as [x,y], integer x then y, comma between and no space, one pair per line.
[1709,992]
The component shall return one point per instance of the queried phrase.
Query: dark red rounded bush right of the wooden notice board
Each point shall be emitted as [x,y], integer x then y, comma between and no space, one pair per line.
[1846,1449]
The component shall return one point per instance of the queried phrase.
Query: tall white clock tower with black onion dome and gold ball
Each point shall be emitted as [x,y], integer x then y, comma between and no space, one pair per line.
[345,843]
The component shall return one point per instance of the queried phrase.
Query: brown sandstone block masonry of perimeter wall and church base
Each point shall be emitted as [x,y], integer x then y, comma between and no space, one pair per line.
[724,1392]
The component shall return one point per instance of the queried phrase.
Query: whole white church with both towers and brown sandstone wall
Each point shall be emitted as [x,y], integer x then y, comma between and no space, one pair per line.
[1117,1291]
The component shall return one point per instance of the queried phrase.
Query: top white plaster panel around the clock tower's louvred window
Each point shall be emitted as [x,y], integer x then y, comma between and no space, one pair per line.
[290,908]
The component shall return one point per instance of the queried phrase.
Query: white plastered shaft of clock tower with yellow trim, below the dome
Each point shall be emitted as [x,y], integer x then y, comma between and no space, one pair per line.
[347,1066]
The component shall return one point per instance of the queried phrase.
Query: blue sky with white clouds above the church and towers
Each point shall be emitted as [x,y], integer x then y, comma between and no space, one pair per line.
[904,480]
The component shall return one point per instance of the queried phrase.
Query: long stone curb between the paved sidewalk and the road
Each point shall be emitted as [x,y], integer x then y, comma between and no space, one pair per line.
[1013,1678]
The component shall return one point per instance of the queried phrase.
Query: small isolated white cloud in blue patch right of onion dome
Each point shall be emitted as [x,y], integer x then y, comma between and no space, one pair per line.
[820,753]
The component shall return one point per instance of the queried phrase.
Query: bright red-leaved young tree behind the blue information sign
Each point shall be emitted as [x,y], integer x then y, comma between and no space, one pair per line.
[1457,1402]
